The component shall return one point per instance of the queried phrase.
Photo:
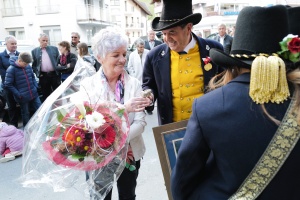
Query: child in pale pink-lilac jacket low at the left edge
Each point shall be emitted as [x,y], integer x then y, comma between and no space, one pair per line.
[11,142]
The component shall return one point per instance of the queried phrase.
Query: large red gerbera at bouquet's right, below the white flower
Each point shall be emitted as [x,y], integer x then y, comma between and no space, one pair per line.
[106,138]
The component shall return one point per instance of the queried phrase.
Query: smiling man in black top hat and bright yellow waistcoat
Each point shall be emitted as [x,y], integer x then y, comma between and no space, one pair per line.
[178,71]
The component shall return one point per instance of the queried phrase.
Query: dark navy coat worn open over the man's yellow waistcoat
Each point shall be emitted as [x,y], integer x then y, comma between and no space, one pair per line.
[157,77]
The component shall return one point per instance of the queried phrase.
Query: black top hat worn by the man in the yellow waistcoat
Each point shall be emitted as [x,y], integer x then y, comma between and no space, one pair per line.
[175,13]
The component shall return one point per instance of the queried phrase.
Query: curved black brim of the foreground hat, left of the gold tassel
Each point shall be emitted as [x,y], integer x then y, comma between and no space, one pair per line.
[222,59]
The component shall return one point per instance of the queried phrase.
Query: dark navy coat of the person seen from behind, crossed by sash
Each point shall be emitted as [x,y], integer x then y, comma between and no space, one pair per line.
[229,124]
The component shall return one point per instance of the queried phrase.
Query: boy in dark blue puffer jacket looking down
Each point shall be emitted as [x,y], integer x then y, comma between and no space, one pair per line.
[20,80]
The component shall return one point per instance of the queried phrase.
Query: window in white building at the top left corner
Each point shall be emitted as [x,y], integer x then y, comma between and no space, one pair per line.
[12,8]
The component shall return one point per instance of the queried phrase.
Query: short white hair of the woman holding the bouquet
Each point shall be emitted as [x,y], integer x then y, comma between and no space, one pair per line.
[108,40]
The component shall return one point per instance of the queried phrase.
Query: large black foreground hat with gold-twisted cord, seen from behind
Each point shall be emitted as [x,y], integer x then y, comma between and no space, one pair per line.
[258,31]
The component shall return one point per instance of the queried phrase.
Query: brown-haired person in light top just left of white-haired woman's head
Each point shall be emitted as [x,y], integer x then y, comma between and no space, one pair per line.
[85,60]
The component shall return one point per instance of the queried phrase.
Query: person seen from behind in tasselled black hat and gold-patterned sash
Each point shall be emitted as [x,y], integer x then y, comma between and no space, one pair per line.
[232,126]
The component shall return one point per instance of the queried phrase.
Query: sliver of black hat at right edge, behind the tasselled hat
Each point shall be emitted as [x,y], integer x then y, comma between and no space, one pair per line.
[294,20]
